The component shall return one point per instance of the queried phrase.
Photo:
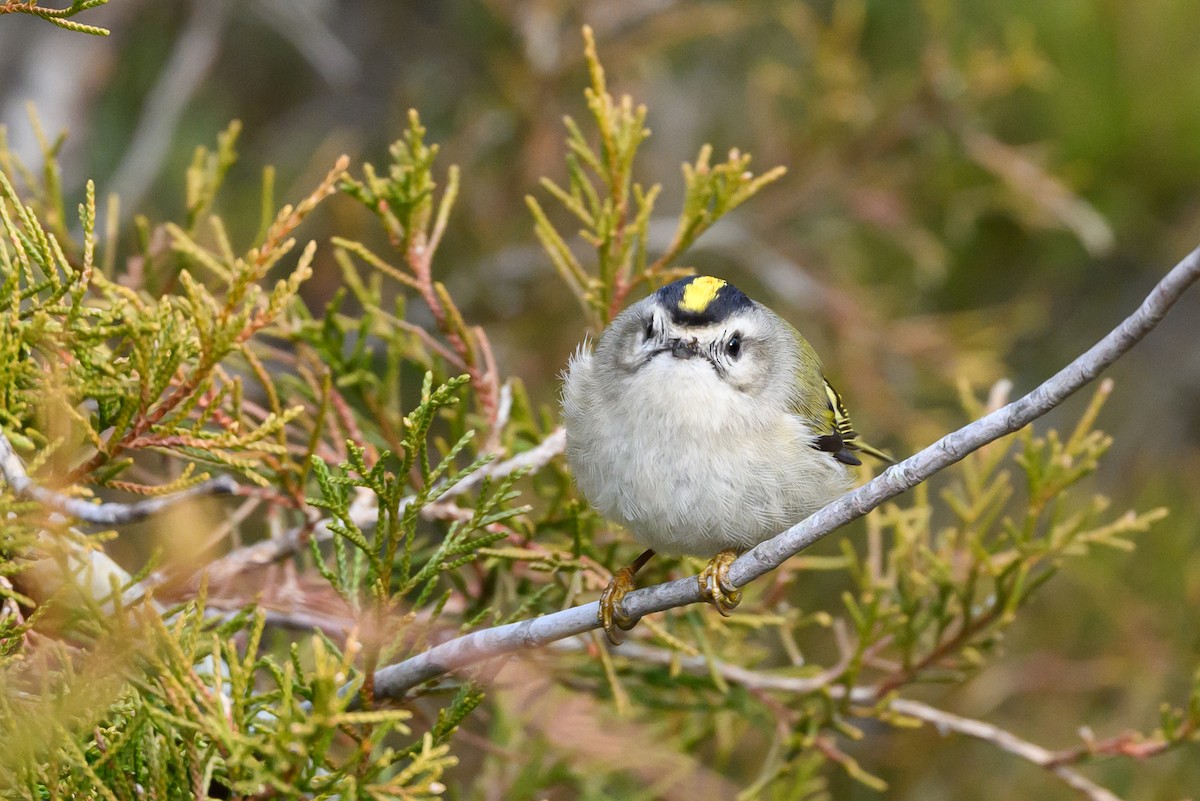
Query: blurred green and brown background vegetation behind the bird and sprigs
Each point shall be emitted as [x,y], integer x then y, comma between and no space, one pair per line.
[975,191]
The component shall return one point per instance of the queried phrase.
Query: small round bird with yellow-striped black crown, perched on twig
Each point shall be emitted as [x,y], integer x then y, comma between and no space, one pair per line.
[703,424]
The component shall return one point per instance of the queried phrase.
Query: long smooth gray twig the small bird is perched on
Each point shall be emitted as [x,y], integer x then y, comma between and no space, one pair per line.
[489,643]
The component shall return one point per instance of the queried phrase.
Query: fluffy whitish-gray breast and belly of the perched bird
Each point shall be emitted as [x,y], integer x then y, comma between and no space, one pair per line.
[697,490]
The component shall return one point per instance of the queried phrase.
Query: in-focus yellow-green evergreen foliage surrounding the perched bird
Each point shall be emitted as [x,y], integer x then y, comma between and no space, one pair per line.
[147,371]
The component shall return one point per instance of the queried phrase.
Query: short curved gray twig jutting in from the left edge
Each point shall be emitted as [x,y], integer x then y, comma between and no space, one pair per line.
[14,473]
